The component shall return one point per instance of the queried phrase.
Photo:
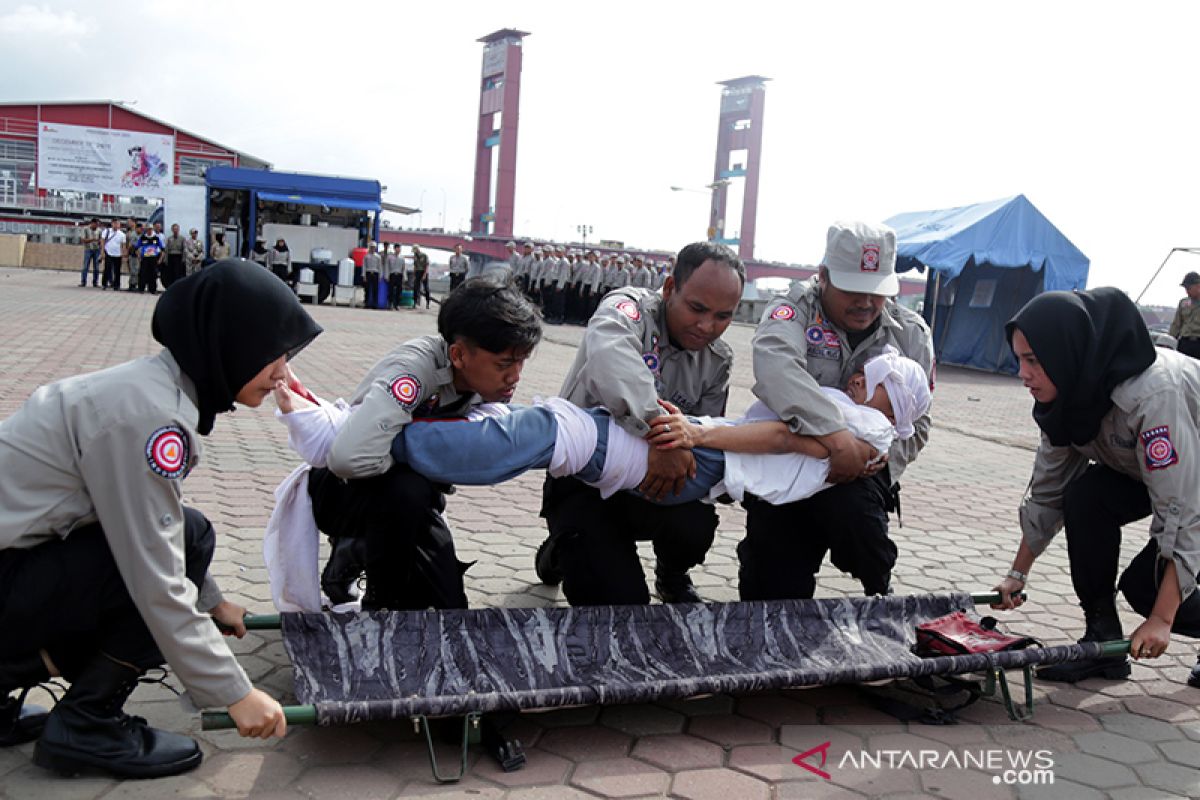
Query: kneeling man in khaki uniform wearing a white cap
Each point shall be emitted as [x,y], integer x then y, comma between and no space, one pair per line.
[819,335]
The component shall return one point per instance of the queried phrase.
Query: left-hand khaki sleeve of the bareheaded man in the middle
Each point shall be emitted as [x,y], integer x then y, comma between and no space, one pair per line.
[615,372]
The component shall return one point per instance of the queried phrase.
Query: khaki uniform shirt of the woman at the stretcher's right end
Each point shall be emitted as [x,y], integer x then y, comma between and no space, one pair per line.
[1151,435]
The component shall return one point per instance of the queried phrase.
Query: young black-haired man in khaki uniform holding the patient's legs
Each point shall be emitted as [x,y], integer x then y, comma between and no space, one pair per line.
[386,516]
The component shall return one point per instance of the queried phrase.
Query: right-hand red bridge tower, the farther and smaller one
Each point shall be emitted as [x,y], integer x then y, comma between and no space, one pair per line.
[739,159]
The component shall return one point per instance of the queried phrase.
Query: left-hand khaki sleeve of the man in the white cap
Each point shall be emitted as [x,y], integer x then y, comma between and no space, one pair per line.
[782,377]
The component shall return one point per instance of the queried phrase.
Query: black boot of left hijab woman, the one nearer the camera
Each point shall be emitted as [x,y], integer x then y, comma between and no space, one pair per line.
[88,730]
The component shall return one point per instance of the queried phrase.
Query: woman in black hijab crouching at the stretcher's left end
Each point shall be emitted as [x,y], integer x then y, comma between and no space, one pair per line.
[104,574]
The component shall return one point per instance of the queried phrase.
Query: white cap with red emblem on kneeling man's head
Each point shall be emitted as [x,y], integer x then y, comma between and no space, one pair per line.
[862,258]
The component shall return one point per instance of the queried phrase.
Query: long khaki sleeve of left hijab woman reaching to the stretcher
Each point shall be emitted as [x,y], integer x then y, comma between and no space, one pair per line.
[143,522]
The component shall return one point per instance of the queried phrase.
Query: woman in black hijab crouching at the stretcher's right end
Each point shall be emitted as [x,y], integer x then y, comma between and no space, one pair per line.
[1120,442]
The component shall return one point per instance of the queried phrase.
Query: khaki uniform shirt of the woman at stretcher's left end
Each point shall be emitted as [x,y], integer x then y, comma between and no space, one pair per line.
[112,448]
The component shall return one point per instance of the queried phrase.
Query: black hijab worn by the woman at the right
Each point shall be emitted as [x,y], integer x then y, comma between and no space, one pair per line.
[1088,342]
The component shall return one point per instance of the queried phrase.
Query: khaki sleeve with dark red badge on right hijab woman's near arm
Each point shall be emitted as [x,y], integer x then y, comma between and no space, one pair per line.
[1171,468]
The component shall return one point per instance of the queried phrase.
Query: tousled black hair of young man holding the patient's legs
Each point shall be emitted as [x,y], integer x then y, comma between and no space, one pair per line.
[491,314]
